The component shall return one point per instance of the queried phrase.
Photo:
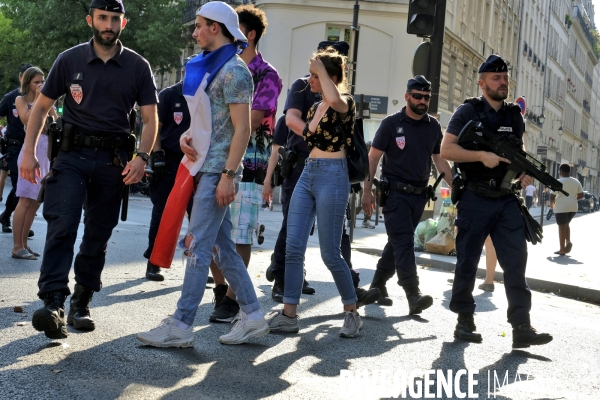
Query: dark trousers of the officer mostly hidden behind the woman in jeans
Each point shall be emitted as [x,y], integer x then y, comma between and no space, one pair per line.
[278,262]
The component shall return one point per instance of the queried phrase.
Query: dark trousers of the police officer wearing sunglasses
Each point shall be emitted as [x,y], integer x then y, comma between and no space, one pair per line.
[401,214]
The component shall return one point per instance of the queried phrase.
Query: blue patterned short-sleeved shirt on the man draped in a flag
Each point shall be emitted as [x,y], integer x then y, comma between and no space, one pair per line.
[232,85]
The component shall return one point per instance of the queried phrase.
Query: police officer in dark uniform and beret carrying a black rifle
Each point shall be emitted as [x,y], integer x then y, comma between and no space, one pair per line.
[486,209]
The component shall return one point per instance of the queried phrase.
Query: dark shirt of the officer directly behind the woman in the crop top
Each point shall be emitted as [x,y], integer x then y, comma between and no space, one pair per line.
[301,98]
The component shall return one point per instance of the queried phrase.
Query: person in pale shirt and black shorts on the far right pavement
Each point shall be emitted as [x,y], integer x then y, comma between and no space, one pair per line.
[565,207]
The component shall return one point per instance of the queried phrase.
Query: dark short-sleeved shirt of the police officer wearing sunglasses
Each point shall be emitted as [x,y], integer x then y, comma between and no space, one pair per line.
[408,145]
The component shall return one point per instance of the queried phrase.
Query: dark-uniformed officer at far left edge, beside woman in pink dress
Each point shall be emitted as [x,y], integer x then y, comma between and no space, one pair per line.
[15,135]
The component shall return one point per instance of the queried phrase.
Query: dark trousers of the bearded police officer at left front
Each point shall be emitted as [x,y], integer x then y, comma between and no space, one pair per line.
[82,176]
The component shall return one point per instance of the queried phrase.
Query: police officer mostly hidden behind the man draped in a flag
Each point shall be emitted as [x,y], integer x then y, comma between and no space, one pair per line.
[173,121]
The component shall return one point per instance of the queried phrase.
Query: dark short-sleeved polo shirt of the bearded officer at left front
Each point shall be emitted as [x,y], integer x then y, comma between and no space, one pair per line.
[100,96]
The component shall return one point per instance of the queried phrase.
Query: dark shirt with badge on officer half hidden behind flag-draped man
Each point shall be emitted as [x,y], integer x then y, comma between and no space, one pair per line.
[174,115]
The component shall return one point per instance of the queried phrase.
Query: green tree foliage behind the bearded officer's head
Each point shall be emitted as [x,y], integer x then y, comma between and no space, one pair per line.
[52,26]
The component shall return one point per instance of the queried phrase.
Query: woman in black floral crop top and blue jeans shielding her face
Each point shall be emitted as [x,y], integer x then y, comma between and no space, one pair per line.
[322,192]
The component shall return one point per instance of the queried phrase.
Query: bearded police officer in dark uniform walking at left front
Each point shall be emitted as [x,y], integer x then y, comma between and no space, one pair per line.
[102,80]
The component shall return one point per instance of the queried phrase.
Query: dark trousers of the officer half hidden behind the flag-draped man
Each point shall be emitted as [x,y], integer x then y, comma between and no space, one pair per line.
[159,194]
